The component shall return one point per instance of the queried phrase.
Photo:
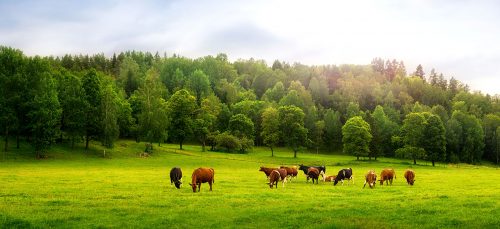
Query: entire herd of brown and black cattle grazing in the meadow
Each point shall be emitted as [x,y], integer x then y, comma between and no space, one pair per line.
[284,174]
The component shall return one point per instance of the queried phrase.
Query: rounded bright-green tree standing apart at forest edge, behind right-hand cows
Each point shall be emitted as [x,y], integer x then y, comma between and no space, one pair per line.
[356,136]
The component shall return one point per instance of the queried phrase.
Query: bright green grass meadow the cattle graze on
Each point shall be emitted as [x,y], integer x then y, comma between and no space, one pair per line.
[72,188]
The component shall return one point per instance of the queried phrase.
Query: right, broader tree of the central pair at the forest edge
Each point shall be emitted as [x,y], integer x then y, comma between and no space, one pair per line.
[294,134]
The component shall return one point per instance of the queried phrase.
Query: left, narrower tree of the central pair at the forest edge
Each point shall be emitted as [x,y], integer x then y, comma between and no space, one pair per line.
[270,128]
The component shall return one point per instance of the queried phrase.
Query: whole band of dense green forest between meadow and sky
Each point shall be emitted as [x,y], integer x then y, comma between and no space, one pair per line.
[368,111]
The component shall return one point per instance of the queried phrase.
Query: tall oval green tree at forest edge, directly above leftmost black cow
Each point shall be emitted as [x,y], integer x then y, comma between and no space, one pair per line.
[182,106]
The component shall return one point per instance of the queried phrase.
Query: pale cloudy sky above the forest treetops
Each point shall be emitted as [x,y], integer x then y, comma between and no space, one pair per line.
[458,38]
